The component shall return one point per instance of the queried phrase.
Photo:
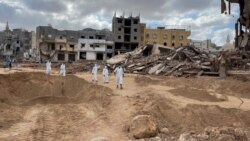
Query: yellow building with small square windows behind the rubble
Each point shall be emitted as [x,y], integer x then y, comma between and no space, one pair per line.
[167,37]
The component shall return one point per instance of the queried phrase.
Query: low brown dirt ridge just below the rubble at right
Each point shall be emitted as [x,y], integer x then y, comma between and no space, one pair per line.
[229,86]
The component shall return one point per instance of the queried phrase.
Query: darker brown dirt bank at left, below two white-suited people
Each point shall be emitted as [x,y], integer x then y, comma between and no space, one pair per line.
[32,88]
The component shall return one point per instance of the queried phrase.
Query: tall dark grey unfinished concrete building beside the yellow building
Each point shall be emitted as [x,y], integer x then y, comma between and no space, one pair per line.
[127,33]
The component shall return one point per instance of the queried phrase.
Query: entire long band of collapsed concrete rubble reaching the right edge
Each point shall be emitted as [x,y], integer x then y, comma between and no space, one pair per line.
[180,61]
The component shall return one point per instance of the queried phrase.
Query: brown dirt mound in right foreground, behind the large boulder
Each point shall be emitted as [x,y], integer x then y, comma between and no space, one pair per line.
[192,117]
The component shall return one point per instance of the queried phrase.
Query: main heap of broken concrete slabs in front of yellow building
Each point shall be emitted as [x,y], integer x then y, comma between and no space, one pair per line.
[170,61]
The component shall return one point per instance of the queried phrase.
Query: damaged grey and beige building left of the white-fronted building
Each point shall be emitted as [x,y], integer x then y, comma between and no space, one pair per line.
[56,45]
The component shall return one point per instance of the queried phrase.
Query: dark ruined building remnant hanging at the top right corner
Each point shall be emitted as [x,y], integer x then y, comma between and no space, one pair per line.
[242,26]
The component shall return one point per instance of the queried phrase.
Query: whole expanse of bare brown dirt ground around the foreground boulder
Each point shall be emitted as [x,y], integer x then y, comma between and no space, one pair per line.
[38,107]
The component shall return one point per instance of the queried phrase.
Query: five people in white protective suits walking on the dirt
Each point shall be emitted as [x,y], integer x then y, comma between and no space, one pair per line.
[119,73]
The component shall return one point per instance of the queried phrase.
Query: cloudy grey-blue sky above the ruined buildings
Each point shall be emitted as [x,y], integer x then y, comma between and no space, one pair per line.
[202,16]
